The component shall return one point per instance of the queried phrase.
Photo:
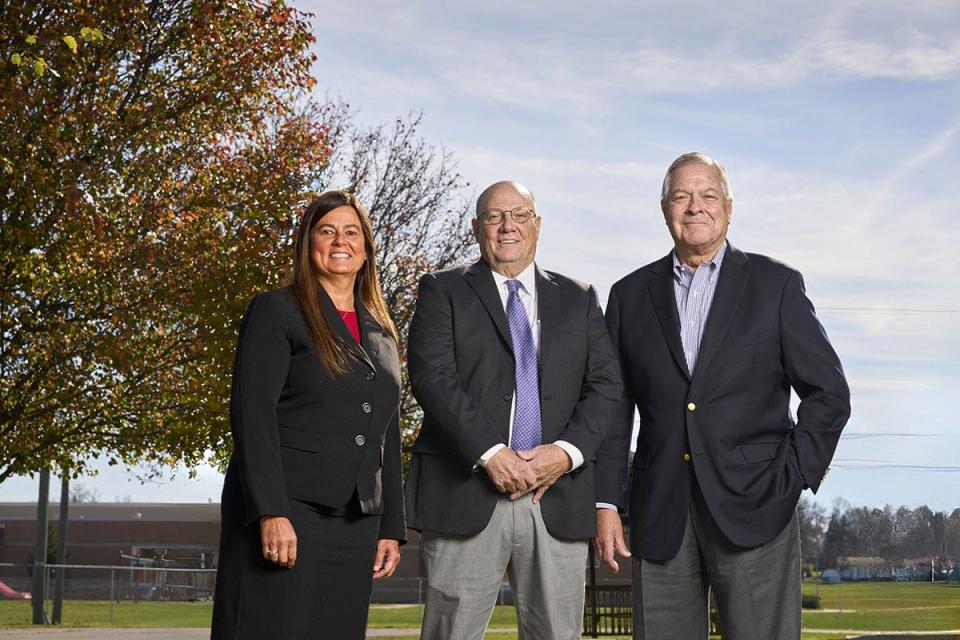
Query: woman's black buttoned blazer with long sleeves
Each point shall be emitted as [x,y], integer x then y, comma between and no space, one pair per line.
[303,433]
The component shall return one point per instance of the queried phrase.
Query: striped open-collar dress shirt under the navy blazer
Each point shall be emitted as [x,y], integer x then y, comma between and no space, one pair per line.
[694,289]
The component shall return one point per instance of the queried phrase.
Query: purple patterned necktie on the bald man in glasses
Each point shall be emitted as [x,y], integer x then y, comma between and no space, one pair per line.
[526,420]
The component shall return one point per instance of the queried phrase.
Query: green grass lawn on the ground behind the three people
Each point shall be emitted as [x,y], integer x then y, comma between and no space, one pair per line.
[886,606]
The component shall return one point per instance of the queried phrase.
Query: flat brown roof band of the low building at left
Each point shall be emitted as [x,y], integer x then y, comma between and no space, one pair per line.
[116,511]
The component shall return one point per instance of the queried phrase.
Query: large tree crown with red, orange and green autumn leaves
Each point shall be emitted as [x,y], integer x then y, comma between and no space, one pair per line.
[149,177]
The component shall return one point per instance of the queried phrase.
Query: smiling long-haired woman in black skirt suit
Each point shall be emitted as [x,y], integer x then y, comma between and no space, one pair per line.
[312,506]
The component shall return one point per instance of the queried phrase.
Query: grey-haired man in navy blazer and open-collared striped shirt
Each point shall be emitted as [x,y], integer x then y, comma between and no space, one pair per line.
[711,340]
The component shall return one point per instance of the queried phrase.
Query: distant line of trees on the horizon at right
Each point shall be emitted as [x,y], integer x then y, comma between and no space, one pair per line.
[892,533]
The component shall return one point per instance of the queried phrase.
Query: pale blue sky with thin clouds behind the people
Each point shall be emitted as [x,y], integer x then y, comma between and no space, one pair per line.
[839,125]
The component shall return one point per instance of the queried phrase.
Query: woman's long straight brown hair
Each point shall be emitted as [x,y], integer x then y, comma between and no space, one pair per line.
[306,284]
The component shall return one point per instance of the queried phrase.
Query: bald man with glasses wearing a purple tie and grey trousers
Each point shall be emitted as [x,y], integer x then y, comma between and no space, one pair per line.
[517,380]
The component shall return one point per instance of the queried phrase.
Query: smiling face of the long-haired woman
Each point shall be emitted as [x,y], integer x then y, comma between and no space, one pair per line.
[336,244]
